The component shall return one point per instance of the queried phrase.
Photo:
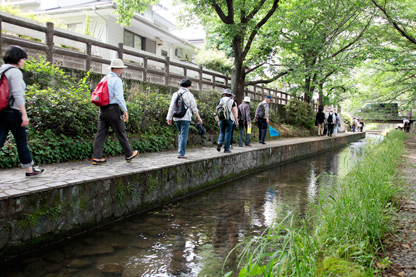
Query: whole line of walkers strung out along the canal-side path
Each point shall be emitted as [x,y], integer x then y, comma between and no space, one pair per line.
[229,115]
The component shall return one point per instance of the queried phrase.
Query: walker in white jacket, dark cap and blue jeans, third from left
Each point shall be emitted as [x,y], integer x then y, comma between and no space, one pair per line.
[182,124]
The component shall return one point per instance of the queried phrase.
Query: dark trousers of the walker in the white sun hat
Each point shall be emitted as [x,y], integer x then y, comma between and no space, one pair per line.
[110,115]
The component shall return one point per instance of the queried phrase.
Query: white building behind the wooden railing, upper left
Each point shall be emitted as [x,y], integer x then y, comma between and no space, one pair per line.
[149,32]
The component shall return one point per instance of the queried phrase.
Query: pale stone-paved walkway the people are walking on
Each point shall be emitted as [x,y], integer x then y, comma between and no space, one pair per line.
[14,183]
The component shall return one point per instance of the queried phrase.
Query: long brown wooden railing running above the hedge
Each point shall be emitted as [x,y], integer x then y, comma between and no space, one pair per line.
[72,50]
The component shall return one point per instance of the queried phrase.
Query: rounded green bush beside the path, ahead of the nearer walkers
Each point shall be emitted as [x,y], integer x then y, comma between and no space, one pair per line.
[300,113]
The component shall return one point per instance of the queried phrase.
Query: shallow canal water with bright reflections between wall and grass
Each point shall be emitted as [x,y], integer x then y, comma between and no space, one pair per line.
[192,237]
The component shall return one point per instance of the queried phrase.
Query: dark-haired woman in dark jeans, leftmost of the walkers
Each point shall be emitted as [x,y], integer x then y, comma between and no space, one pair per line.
[14,116]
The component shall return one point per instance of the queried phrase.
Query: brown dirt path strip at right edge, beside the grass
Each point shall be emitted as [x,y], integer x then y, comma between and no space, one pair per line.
[401,250]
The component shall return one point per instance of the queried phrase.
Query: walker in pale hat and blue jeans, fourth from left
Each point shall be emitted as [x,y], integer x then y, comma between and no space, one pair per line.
[226,125]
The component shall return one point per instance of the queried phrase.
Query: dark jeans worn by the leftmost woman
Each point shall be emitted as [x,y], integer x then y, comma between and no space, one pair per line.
[10,120]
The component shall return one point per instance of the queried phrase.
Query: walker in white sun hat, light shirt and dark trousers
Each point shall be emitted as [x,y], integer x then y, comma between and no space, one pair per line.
[110,115]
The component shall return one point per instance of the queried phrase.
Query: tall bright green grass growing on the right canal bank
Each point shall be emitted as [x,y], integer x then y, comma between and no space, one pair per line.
[345,233]
